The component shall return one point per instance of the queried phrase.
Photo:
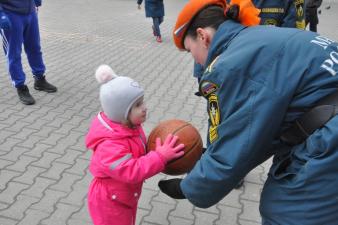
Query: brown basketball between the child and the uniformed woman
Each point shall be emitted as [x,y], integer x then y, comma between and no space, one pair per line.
[188,135]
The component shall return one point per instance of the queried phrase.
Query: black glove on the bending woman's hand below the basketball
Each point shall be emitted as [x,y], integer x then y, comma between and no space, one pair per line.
[172,188]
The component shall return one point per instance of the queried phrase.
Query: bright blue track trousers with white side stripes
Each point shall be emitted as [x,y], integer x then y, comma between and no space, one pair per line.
[25,30]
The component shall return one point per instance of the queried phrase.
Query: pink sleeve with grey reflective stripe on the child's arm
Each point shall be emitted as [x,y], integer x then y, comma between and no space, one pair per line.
[116,161]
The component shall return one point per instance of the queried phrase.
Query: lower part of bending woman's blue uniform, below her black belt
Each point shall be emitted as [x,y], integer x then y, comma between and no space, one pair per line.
[302,186]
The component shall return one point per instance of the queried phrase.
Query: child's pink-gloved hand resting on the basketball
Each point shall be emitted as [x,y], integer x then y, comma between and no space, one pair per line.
[168,150]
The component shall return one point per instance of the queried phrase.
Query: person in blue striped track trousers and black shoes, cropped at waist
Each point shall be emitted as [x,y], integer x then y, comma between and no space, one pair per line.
[19,25]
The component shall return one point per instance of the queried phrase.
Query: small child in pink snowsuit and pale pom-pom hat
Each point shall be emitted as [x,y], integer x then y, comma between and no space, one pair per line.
[119,162]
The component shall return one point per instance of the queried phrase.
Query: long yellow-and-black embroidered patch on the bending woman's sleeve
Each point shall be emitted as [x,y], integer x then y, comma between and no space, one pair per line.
[215,117]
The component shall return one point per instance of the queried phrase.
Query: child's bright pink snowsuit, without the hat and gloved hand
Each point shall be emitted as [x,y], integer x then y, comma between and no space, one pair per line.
[119,166]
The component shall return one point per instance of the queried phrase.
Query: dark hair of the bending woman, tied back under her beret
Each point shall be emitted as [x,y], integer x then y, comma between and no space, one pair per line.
[211,16]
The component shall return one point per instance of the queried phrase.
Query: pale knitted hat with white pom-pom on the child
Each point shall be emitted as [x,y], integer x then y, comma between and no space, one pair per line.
[117,93]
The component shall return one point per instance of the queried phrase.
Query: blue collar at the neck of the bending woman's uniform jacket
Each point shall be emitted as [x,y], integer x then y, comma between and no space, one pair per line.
[222,38]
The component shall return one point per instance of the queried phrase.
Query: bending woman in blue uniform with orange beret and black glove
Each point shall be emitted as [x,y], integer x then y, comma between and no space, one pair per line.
[271,92]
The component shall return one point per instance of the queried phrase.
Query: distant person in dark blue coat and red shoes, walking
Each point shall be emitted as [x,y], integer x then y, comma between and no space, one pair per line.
[155,10]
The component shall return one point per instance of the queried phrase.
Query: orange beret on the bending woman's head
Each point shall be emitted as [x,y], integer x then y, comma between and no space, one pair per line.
[248,16]
